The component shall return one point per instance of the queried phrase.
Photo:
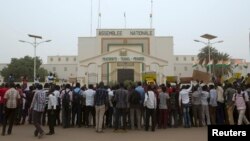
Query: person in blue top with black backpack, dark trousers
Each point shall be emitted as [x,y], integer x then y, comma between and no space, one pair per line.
[77,105]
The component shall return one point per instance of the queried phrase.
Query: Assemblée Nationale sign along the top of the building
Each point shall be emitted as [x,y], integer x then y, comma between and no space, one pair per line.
[132,32]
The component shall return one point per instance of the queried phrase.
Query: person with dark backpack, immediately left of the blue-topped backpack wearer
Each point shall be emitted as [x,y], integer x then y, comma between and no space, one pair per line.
[66,97]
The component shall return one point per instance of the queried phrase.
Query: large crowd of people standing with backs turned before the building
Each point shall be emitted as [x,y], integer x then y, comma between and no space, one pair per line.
[137,107]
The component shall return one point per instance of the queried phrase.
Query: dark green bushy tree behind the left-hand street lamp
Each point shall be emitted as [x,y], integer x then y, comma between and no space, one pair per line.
[23,67]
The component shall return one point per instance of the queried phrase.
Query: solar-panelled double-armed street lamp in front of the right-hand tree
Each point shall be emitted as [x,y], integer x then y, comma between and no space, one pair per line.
[208,44]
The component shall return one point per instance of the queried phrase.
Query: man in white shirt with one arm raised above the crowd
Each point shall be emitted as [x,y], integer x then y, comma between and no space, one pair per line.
[184,102]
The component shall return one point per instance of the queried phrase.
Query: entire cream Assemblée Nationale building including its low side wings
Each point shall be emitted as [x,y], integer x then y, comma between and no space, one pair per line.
[116,55]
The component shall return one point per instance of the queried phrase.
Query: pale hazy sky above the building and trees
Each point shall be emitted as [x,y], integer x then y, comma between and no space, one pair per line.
[63,21]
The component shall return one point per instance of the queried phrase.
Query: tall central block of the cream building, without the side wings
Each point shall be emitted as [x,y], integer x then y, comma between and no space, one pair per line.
[115,55]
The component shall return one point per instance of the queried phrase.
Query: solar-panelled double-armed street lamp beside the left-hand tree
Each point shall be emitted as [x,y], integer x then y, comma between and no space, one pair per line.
[34,44]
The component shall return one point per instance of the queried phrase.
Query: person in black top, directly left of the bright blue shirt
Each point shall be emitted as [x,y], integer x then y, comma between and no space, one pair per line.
[135,108]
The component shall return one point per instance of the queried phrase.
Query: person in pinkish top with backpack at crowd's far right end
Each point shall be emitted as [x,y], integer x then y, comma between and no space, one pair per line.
[240,98]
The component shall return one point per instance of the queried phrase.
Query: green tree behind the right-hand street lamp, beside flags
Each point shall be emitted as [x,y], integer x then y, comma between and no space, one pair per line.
[218,66]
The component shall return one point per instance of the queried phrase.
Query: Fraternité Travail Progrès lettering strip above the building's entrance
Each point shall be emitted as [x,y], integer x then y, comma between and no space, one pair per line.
[123,59]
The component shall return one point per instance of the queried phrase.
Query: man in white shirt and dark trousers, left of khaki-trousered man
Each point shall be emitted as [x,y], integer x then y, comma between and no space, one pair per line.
[89,95]
